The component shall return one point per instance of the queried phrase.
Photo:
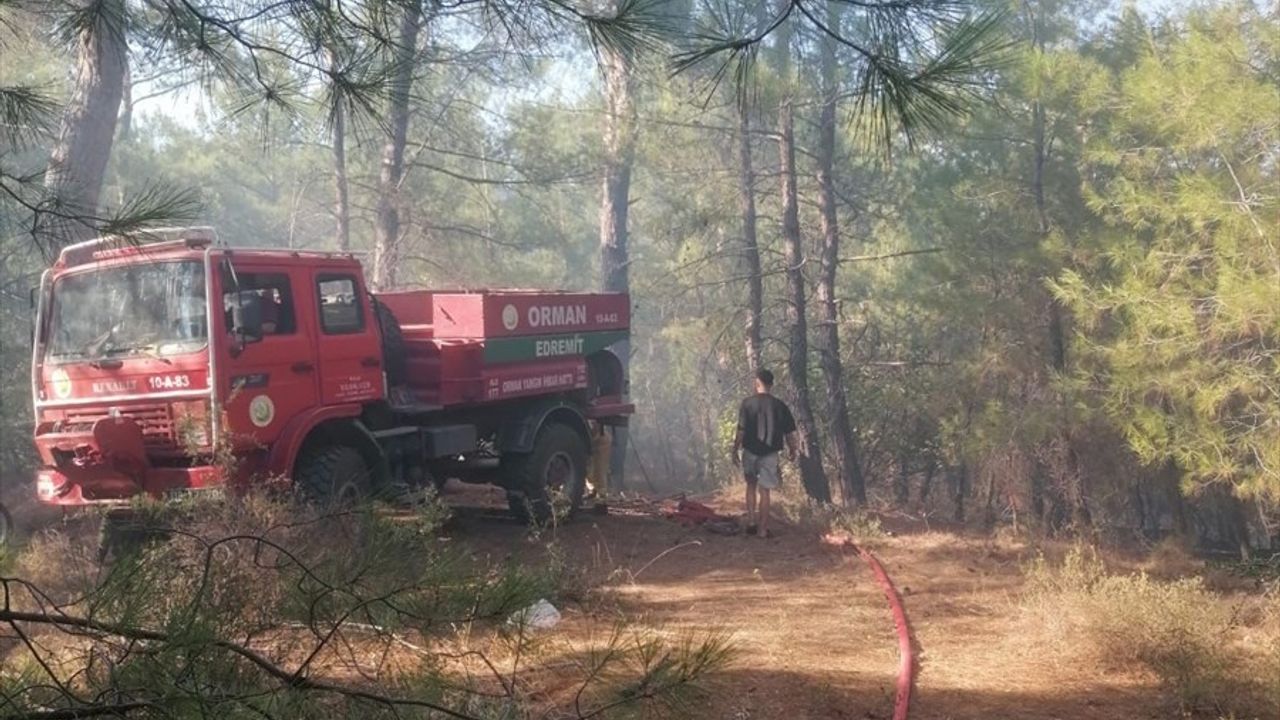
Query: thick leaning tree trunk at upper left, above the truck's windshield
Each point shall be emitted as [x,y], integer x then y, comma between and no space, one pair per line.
[79,161]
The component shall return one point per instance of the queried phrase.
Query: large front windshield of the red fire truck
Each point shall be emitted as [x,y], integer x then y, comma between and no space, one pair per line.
[153,311]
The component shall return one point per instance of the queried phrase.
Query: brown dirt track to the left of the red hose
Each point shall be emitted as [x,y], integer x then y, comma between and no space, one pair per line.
[785,601]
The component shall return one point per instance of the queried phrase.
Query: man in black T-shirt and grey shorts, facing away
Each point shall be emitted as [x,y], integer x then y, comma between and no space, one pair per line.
[764,425]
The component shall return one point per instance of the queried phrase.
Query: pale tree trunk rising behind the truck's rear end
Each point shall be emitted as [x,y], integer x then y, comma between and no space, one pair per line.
[620,129]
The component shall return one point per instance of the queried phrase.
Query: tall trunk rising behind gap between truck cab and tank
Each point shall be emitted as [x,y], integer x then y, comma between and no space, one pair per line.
[387,222]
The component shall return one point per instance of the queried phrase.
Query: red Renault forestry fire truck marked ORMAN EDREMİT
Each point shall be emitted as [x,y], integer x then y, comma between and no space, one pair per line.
[182,364]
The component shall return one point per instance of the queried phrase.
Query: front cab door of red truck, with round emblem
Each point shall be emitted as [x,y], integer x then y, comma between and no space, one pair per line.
[268,382]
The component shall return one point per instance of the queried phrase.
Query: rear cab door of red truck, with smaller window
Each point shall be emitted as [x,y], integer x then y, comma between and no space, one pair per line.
[349,345]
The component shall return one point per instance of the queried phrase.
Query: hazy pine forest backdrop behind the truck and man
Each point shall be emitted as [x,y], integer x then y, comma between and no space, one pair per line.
[1054,298]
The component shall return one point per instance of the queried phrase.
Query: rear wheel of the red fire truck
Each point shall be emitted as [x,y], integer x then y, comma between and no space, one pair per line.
[556,471]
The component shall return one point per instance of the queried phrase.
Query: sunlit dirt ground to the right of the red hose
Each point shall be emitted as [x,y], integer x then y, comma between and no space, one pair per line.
[980,659]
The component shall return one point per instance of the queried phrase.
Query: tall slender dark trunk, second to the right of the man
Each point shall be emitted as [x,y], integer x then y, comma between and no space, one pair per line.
[845,445]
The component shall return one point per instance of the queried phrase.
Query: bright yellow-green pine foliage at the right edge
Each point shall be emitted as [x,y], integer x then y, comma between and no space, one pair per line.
[1183,309]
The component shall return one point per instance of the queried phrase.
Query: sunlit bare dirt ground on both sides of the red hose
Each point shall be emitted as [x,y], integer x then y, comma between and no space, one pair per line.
[813,632]
